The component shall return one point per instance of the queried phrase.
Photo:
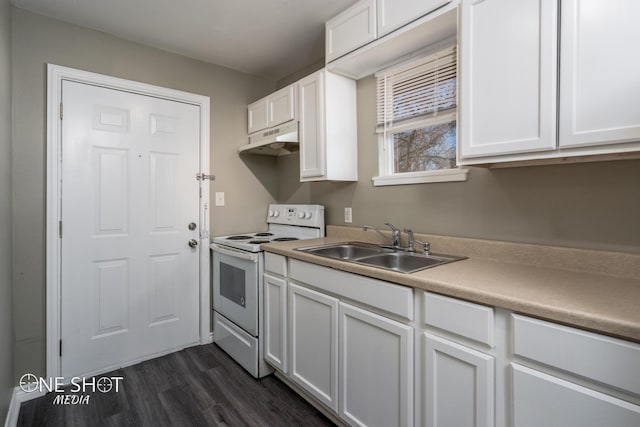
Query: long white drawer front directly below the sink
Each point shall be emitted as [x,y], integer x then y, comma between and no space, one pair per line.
[394,299]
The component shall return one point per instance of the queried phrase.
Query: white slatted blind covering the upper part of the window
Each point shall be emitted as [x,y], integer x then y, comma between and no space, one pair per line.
[416,90]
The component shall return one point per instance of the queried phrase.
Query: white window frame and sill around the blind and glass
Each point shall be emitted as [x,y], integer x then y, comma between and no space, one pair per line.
[386,174]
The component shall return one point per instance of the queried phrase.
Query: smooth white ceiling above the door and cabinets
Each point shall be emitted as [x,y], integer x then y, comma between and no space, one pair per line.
[268,38]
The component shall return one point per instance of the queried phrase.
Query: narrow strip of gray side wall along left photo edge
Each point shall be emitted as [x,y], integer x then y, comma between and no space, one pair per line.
[6,330]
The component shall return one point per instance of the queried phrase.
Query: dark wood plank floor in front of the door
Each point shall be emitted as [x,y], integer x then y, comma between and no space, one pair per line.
[199,386]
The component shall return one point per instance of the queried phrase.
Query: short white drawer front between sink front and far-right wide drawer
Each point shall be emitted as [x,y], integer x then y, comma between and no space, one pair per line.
[463,318]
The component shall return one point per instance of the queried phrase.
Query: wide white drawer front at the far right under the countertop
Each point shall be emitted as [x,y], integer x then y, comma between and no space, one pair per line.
[604,359]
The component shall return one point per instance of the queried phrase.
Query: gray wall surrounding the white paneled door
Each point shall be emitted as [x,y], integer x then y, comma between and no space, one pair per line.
[249,183]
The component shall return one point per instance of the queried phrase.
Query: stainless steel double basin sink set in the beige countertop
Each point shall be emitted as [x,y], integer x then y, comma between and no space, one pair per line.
[381,257]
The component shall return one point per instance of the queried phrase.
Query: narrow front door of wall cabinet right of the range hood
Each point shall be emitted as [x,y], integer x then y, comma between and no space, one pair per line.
[312,127]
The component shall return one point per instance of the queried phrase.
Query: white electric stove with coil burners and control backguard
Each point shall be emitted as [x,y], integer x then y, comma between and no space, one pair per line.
[238,268]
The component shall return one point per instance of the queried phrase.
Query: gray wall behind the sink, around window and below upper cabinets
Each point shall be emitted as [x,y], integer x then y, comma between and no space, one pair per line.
[591,205]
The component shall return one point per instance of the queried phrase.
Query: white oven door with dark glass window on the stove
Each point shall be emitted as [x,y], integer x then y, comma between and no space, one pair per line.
[236,277]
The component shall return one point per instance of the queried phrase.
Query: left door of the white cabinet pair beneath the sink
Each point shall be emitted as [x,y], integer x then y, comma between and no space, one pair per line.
[313,330]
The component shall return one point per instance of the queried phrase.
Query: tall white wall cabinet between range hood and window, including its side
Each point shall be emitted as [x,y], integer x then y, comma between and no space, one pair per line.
[328,133]
